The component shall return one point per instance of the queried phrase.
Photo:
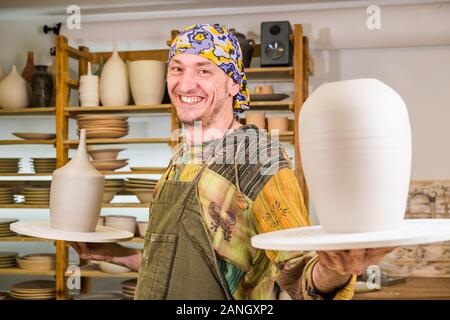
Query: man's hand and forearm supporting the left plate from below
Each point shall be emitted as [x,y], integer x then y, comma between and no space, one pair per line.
[109,252]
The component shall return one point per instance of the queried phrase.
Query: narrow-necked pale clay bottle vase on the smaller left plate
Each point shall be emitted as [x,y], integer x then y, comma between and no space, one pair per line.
[76,193]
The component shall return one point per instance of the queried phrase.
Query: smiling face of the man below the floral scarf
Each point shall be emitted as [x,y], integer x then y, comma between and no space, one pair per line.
[198,88]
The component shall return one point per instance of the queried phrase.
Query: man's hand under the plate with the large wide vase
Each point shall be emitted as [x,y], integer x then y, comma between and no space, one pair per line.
[335,268]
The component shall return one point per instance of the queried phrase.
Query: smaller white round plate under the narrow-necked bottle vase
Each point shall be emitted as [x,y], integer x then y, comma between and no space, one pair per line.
[42,229]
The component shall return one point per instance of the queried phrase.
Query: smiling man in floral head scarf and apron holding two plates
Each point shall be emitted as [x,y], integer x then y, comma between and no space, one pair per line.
[206,208]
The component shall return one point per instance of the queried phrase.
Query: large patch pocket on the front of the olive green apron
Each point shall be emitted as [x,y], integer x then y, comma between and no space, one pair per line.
[156,267]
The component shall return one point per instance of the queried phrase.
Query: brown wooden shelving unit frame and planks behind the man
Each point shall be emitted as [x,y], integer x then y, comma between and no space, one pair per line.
[298,74]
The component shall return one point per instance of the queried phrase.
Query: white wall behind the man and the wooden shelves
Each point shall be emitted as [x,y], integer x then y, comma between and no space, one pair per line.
[402,54]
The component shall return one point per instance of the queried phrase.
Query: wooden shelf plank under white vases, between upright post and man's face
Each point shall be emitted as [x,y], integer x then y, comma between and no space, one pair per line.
[72,111]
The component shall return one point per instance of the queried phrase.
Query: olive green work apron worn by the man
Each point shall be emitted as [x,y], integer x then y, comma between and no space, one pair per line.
[179,261]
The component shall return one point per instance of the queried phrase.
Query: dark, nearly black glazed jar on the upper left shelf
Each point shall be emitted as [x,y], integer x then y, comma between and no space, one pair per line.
[41,87]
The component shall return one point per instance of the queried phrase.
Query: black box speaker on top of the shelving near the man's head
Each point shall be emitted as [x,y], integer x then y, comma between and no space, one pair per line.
[276,48]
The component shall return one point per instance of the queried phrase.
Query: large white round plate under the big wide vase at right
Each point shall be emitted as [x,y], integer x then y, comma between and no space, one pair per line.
[411,232]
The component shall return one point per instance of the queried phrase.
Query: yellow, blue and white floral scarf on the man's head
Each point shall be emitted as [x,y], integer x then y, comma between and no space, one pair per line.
[221,47]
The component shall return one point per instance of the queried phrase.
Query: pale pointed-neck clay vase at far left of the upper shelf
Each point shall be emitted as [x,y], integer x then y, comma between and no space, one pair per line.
[15,91]
